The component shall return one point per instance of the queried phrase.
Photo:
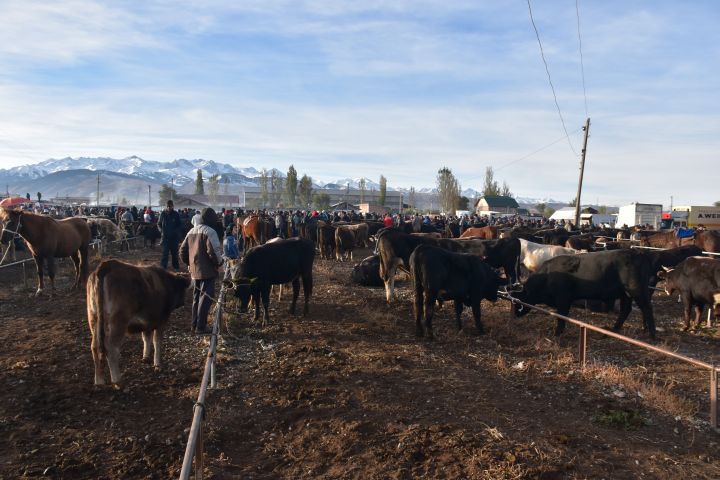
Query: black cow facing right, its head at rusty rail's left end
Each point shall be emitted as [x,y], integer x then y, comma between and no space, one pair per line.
[437,274]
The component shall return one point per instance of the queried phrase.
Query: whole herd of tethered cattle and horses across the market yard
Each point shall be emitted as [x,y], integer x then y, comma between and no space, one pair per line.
[552,266]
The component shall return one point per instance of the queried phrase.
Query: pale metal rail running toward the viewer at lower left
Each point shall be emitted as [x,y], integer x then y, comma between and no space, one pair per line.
[195,446]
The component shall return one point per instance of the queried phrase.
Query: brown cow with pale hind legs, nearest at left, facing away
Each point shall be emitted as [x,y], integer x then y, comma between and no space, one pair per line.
[124,298]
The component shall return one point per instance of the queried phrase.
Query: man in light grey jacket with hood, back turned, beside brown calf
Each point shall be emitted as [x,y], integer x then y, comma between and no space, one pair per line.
[202,253]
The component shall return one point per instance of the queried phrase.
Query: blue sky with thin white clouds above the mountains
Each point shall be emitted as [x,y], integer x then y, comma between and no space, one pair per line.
[367,88]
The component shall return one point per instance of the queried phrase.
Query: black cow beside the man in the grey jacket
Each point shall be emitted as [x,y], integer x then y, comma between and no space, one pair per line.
[274,263]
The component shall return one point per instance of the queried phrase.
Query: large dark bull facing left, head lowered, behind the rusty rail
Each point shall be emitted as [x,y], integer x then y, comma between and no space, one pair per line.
[605,276]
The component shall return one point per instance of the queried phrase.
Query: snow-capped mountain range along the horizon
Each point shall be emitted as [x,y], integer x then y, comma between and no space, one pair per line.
[130,177]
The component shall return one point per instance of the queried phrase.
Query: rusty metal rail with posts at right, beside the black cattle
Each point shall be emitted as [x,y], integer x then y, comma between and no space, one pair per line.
[582,350]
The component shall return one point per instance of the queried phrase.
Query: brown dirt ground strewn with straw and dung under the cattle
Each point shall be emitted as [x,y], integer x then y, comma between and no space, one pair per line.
[350,392]
